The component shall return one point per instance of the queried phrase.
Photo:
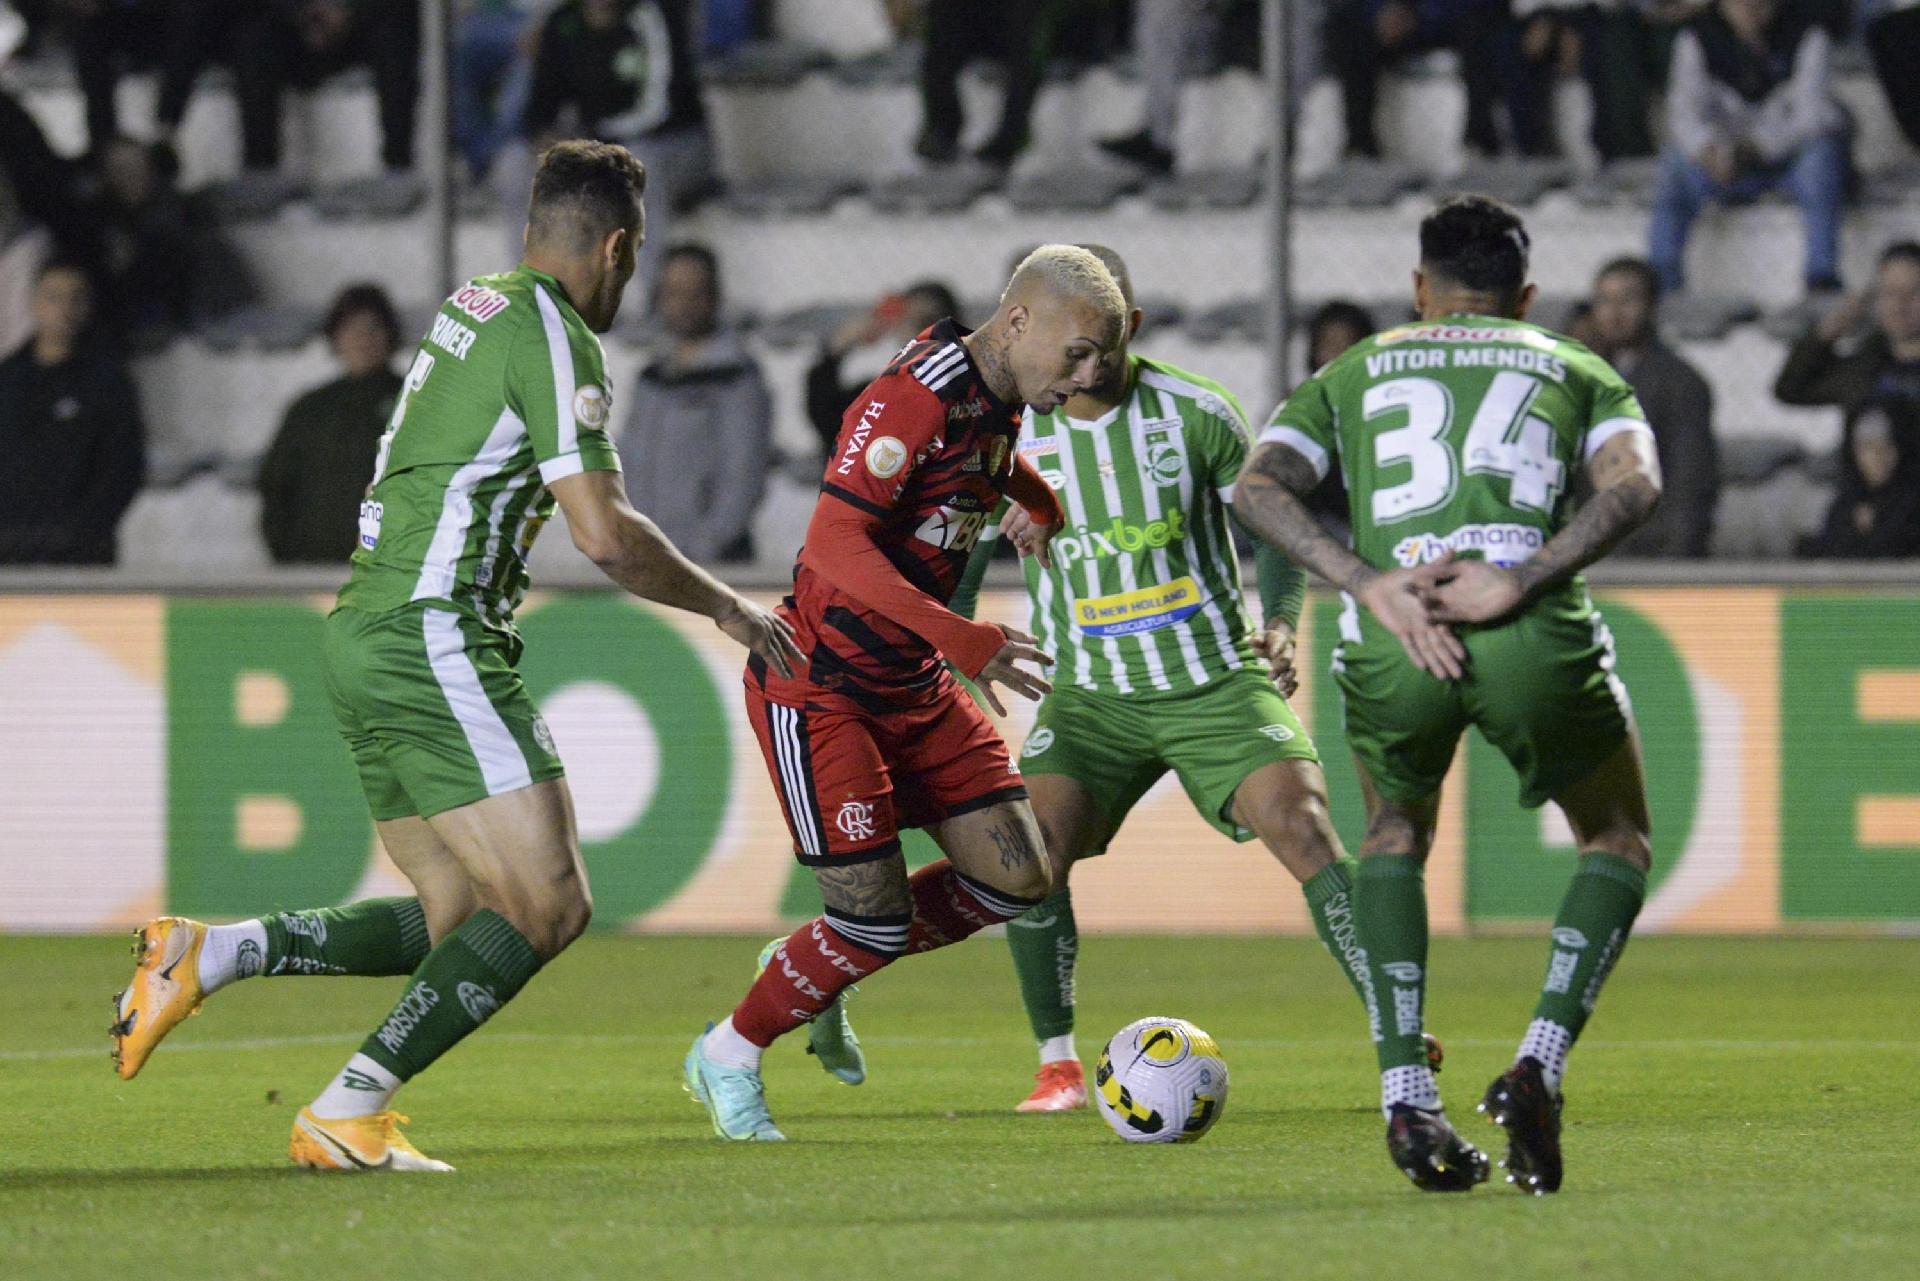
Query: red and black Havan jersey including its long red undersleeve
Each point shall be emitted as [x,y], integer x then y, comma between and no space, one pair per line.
[919,468]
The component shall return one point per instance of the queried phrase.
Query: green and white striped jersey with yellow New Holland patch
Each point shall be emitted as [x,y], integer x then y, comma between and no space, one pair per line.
[1145,591]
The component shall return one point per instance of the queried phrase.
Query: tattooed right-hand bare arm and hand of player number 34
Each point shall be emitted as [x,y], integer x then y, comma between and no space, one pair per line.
[1627,485]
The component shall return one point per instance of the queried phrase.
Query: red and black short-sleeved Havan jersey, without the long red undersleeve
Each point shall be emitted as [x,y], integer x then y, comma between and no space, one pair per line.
[926,450]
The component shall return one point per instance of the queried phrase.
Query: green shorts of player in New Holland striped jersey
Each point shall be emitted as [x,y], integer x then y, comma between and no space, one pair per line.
[1116,746]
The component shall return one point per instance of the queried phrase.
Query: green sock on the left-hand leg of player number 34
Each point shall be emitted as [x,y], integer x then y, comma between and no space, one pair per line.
[1391,921]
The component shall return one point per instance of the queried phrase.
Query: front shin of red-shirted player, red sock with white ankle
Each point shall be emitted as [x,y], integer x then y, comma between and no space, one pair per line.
[817,963]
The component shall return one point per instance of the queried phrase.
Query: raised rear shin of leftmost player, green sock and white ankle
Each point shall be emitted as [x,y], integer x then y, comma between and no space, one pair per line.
[370,938]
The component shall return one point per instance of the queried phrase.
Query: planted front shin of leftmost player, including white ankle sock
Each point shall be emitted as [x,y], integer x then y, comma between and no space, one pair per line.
[462,982]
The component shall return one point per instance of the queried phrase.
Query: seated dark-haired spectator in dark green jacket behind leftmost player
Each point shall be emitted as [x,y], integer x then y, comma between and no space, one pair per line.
[322,462]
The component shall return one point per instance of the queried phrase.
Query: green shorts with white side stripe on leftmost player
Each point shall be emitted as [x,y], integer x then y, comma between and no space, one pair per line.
[433,710]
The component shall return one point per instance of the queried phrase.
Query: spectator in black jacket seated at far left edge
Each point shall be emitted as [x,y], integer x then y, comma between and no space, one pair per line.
[70,427]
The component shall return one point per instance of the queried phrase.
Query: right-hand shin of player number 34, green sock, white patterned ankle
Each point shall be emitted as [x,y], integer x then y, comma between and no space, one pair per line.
[1589,936]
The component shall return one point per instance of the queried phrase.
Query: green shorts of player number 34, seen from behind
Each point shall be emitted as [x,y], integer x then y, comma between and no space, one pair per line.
[1543,690]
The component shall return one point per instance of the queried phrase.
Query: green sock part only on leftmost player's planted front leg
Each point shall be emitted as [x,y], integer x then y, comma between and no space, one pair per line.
[464,980]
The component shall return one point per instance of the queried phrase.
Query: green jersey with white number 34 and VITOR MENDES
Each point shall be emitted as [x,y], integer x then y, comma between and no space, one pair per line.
[1458,435]
